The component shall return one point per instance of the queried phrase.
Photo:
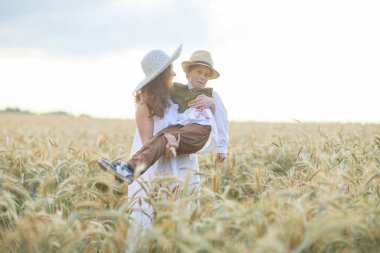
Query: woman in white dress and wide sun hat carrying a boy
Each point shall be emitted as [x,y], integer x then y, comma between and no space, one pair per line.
[155,111]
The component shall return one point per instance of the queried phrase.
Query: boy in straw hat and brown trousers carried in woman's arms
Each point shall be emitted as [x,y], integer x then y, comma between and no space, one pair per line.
[193,127]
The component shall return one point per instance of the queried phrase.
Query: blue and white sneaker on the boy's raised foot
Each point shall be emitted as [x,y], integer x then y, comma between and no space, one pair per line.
[120,170]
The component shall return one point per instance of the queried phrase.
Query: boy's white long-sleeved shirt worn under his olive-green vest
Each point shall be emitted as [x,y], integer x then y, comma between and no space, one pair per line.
[221,121]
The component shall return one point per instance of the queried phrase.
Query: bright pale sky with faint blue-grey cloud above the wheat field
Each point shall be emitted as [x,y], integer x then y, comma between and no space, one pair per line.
[279,60]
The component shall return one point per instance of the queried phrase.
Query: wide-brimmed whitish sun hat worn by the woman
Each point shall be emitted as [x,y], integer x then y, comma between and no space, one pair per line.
[154,63]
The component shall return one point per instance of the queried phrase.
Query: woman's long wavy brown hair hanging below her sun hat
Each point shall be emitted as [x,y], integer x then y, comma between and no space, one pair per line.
[156,94]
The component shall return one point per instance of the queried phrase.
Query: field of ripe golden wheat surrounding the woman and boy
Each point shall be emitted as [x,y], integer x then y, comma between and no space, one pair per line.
[295,187]
